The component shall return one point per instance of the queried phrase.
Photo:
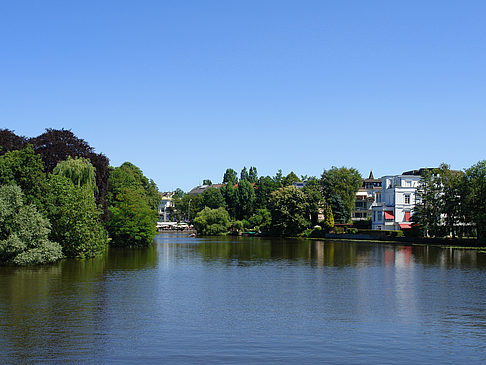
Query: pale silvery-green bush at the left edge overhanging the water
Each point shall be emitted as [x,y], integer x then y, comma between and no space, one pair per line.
[24,231]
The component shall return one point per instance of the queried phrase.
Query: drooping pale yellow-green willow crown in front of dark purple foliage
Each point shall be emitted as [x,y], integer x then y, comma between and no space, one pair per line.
[79,170]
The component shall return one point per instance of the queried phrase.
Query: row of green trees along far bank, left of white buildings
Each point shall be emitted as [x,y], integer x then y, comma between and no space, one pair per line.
[271,204]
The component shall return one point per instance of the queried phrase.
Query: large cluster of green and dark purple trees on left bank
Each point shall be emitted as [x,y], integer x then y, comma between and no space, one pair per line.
[58,198]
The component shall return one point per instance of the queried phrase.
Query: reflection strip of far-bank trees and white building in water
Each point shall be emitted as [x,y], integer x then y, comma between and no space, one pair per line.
[251,251]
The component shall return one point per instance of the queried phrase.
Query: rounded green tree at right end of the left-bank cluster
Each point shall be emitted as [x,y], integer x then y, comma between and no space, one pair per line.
[132,221]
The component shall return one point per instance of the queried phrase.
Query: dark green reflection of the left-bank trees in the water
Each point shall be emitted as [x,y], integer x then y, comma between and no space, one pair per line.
[50,307]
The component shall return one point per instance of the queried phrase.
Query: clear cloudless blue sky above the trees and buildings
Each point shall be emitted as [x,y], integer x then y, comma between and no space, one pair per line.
[186,89]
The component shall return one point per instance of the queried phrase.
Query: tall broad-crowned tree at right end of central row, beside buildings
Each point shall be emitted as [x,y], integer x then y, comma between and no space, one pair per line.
[343,182]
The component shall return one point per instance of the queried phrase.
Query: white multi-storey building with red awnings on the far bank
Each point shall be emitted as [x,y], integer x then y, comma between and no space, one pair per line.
[394,206]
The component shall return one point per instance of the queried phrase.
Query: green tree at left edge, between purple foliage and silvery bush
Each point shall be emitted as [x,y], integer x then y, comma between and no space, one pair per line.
[24,168]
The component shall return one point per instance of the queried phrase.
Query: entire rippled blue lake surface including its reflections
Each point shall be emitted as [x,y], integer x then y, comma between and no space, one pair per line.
[249,300]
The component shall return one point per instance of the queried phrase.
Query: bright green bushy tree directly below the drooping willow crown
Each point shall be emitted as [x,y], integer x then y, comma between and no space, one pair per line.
[75,218]
